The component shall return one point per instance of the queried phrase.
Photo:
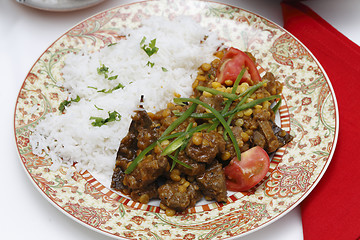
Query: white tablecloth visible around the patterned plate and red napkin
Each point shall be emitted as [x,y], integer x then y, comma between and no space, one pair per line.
[25,34]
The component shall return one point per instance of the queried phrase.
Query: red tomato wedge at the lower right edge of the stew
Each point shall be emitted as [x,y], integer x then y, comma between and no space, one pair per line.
[245,174]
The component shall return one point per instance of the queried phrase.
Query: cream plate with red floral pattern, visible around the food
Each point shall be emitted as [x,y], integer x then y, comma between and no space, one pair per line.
[309,112]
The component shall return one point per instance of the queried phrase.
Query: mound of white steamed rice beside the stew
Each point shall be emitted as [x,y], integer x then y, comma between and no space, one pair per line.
[70,137]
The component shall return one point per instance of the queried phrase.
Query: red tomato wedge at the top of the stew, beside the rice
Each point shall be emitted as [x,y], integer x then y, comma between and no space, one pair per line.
[231,65]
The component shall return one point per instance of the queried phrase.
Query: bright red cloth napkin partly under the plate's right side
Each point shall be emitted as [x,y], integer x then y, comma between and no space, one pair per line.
[332,209]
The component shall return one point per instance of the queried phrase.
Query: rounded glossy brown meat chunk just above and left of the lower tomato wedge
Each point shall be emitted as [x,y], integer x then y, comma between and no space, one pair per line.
[204,146]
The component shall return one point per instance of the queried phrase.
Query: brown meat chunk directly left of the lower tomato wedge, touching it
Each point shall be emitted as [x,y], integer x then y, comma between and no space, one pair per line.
[212,183]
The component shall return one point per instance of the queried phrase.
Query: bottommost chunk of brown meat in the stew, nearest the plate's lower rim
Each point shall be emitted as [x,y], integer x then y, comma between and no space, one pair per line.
[178,196]
